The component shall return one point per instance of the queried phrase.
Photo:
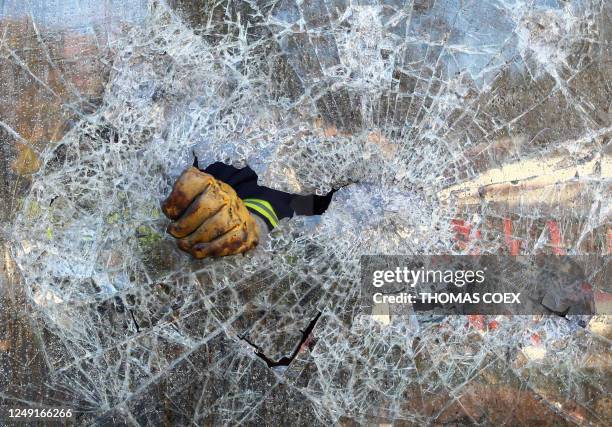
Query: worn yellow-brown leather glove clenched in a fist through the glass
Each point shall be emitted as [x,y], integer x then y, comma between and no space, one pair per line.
[209,217]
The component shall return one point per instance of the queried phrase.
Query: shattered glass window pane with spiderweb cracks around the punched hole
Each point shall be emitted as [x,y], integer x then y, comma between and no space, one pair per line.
[445,127]
